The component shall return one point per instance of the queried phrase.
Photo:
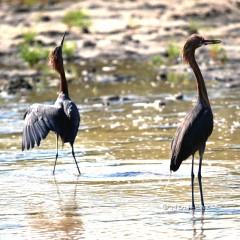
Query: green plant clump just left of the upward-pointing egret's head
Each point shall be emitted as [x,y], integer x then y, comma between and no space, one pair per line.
[32,55]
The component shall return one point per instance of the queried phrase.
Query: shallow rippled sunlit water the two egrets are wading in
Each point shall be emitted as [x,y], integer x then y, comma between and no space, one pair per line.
[126,190]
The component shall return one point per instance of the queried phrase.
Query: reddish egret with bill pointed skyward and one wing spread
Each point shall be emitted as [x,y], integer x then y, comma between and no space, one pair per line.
[62,118]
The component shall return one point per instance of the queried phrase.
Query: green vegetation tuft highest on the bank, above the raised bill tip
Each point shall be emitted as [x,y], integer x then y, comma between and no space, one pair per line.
[77,18]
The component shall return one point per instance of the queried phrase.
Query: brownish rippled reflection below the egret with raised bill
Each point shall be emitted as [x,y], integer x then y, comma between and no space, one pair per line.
[61,216]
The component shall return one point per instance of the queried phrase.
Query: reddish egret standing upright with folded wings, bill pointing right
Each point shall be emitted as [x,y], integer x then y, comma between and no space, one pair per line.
[197,126]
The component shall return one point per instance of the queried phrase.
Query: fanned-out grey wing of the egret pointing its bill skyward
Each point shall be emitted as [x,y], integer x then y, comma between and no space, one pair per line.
[39,120]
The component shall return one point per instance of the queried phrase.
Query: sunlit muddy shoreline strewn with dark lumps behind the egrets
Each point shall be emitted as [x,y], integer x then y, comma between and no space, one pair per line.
[119,31]
